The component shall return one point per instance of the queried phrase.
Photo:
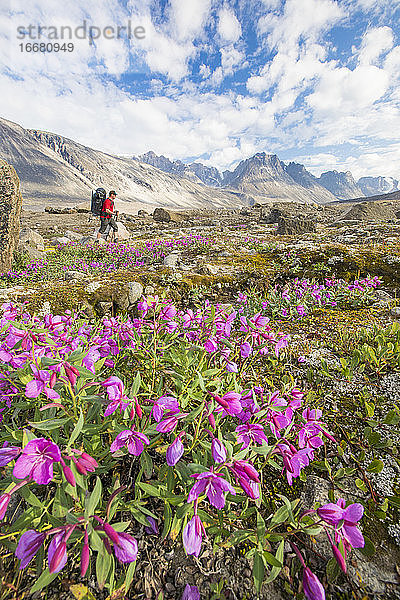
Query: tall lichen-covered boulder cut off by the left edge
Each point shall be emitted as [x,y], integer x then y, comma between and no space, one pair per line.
[10,213]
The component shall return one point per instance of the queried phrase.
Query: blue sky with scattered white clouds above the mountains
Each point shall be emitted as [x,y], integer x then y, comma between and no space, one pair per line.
[315,81]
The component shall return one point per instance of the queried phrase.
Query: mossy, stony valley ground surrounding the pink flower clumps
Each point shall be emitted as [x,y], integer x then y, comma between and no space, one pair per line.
[254,249]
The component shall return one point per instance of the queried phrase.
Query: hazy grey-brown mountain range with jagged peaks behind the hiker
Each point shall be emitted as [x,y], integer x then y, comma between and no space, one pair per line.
[56,170]
